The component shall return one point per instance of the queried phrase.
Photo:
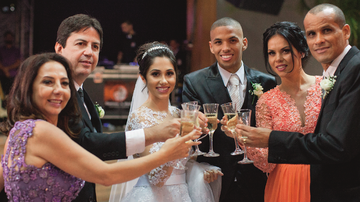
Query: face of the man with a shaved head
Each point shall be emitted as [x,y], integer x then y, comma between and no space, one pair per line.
[326,39]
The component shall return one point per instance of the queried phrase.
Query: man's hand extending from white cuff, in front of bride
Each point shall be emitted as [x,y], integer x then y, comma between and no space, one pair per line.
[162,132]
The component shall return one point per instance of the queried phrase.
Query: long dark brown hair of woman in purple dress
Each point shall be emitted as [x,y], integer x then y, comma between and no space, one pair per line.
[20,105]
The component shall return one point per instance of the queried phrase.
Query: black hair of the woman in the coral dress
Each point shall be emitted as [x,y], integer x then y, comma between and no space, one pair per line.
[292,34]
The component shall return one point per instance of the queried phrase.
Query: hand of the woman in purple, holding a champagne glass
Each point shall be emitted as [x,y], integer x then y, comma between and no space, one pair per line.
[179,147]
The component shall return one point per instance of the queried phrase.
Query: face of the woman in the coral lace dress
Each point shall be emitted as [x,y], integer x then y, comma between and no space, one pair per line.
[280,57]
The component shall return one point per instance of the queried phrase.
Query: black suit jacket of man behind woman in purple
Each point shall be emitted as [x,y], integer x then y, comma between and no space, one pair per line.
[104,146]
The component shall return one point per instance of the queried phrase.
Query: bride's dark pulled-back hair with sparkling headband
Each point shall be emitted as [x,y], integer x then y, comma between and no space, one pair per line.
[147,52]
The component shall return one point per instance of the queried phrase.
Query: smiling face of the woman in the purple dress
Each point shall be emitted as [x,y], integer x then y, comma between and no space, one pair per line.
[51,90]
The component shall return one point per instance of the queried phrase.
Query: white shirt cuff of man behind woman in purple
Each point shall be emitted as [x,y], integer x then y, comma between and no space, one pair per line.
[135,141]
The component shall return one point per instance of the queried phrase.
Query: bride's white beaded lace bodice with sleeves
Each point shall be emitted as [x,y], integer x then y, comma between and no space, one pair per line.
[143,117]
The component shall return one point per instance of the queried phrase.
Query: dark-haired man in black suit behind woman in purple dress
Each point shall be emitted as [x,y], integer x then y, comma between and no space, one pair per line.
[79,39]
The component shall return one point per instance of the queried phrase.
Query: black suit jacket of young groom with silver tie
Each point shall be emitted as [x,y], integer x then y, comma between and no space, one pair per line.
[207,86]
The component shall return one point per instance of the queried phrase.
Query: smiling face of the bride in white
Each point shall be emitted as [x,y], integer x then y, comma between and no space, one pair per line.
[160,78]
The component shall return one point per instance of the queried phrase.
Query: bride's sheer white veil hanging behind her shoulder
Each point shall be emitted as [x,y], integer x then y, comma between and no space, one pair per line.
[140,95]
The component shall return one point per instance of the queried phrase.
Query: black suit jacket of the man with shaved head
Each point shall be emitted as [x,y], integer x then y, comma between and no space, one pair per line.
[333,150]
